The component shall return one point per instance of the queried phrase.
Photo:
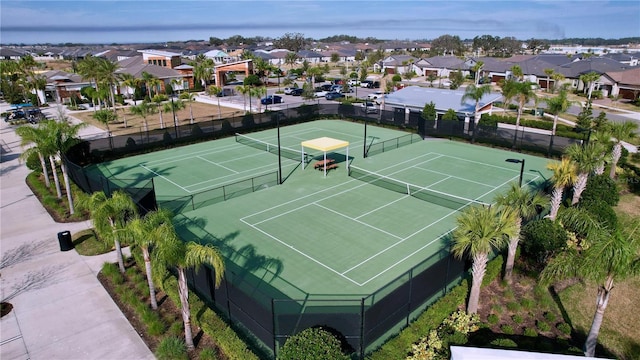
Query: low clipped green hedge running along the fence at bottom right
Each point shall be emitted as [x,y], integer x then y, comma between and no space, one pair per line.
[400,346]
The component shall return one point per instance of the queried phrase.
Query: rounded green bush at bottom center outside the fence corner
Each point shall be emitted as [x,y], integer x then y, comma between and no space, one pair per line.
[312,343]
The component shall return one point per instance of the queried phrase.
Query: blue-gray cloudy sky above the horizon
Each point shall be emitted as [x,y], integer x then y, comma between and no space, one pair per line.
[123,21]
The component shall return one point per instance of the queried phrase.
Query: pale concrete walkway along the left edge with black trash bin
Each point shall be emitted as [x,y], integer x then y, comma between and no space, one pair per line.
[60,310]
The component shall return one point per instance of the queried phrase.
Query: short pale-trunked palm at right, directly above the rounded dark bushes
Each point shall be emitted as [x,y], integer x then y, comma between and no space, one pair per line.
[587,158]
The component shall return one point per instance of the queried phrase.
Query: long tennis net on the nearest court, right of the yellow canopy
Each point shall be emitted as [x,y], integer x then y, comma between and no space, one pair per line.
[449,201]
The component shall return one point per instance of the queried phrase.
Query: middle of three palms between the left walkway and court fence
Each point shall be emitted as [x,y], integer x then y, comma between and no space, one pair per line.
[147,232]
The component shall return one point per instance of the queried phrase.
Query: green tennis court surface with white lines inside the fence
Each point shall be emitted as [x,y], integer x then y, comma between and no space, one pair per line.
[337,235]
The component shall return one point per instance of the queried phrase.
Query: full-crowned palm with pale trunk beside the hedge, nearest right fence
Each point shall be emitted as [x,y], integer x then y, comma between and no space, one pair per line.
[481,230]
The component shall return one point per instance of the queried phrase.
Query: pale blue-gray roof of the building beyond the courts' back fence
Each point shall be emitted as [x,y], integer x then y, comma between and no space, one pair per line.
[444,99]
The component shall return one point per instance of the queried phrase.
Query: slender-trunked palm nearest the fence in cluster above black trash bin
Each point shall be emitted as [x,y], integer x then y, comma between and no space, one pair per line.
[62,136]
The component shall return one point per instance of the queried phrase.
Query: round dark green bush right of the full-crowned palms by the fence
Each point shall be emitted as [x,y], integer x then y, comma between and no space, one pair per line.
[541,239]
